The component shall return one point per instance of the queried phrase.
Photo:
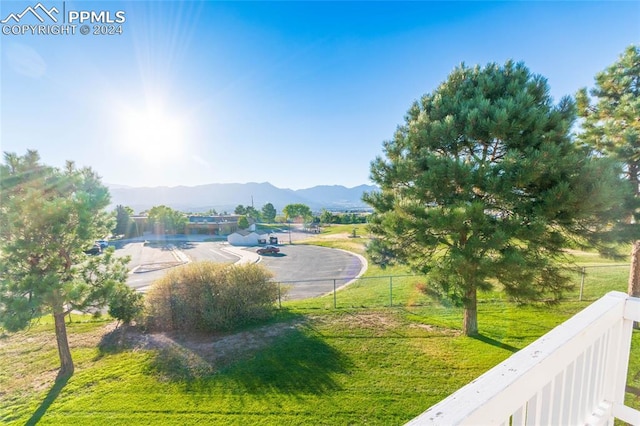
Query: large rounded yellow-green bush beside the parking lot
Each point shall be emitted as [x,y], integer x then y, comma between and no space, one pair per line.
[207,296]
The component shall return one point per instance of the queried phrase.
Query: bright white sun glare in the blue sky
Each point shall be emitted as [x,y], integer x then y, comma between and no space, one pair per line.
[153,134]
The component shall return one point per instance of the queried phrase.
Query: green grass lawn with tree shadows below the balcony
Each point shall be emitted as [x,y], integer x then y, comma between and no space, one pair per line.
[362,363]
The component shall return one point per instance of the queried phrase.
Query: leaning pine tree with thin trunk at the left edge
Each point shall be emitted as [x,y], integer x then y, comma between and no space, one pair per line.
[47,218]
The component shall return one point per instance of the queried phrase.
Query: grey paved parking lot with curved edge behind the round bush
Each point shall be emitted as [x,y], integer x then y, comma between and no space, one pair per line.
[306,270]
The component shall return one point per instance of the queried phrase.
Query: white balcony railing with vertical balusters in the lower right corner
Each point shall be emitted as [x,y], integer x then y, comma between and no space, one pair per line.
[574,375]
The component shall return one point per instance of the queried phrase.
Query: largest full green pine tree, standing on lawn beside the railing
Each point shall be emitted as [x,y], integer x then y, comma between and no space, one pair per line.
[482,184]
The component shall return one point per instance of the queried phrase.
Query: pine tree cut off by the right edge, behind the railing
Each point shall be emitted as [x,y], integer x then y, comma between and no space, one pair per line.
[612,127]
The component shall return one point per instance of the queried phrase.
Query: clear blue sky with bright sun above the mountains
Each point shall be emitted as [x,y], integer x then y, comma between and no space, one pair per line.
[294,93]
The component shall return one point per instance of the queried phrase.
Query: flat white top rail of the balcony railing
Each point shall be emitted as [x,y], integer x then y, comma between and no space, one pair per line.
[478,397]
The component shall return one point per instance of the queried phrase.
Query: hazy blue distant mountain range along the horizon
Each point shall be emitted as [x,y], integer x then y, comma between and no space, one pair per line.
[226,196]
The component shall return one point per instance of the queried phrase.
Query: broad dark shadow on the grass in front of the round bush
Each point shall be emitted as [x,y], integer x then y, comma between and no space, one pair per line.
[296,362]
